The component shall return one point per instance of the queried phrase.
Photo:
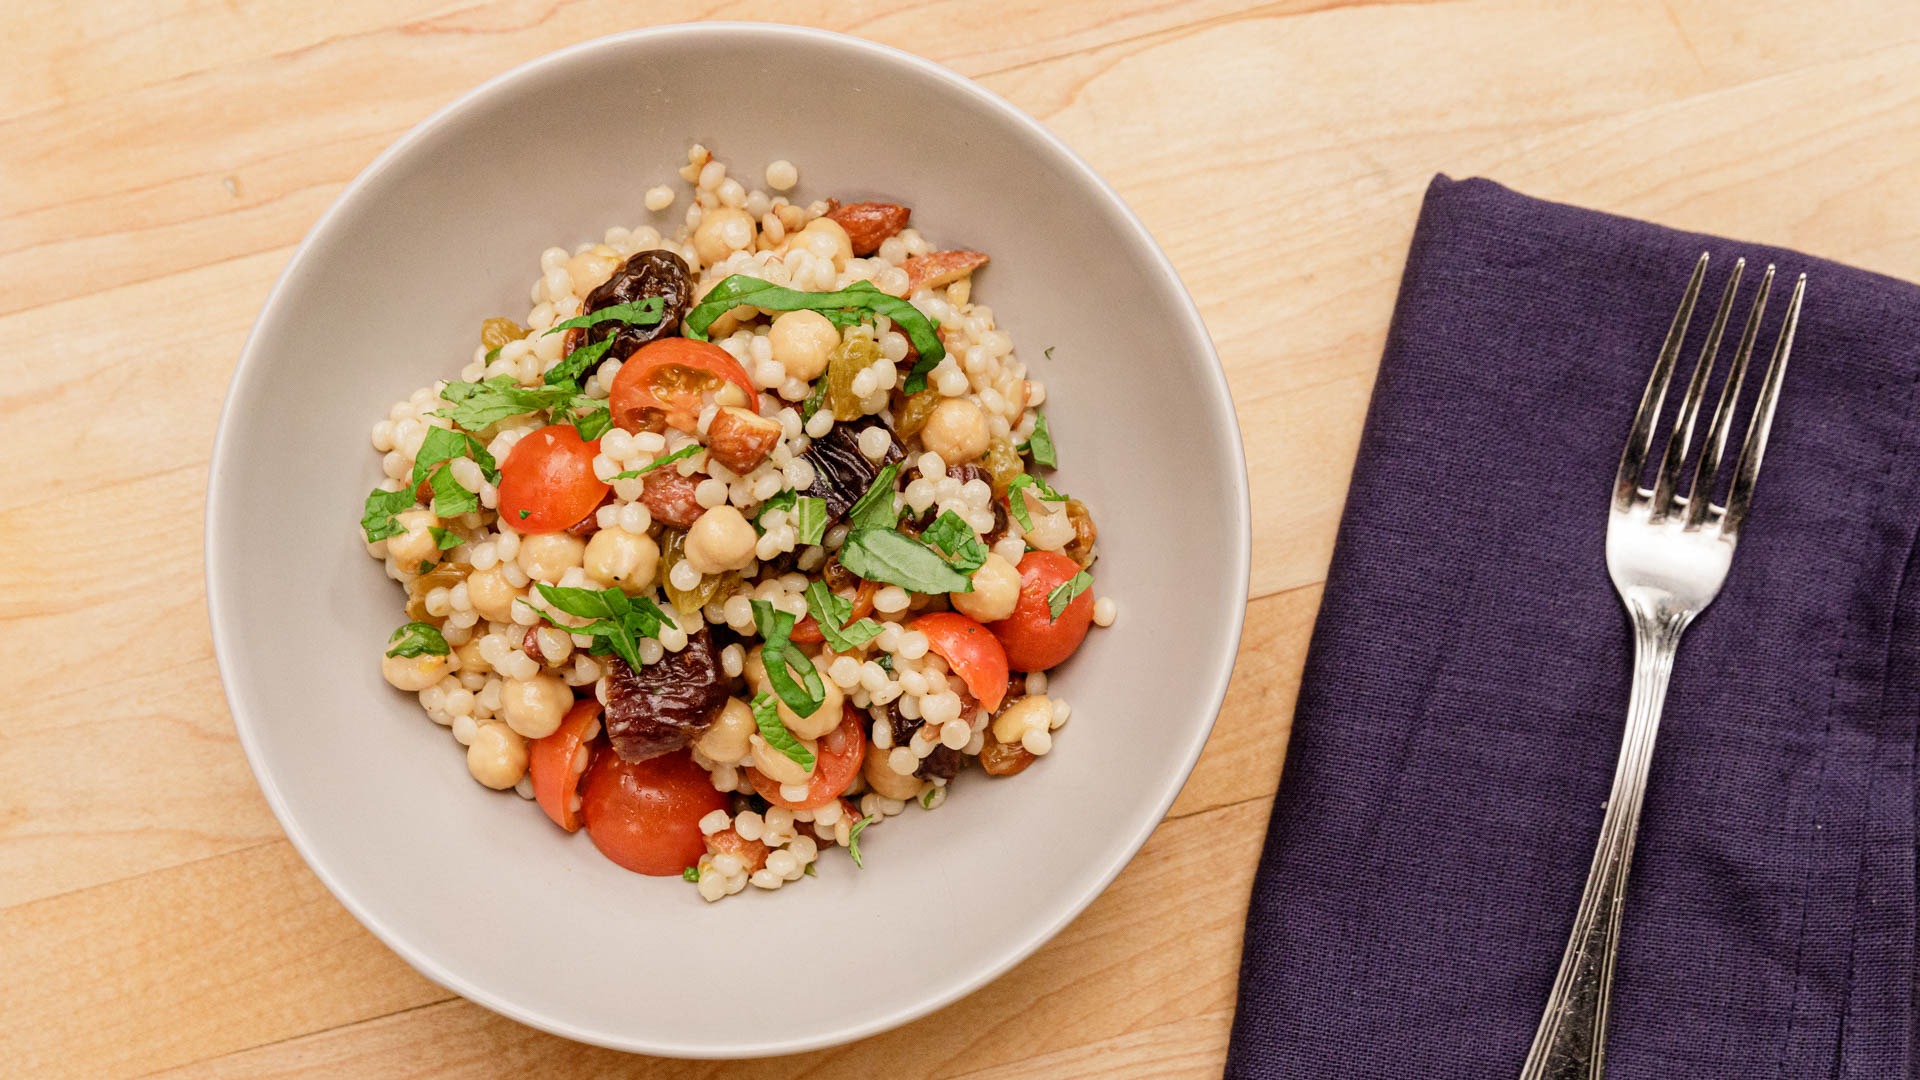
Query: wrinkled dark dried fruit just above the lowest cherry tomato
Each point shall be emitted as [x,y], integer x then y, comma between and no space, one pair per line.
[665,704]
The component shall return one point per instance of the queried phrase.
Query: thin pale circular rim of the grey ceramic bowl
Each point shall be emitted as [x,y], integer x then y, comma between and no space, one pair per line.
[251,368]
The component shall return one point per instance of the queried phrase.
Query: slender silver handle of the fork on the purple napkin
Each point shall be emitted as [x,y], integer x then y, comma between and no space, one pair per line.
[1572,1043]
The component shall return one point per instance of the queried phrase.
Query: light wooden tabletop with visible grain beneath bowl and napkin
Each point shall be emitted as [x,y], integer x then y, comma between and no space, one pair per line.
[160,160]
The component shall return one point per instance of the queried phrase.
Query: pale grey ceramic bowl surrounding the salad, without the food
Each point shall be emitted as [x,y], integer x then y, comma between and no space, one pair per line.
[479,891]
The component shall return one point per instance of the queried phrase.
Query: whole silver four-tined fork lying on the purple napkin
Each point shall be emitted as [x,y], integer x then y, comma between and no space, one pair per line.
[1668,558]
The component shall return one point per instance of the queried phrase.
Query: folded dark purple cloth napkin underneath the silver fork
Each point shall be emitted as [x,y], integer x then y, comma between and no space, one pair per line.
[1466,691]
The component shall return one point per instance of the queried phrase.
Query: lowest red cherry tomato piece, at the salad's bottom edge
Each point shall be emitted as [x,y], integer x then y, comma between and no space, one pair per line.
[646,816]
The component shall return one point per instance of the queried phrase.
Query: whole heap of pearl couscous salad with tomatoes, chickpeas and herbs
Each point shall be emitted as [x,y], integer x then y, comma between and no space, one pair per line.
[742,541]
